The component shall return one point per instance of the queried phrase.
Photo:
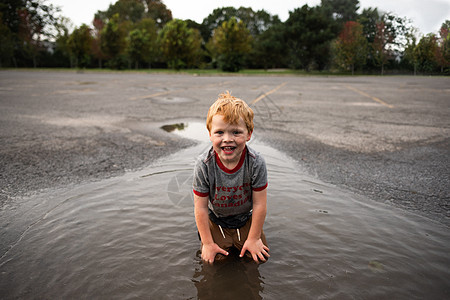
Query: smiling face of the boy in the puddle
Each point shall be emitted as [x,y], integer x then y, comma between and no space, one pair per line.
[228,139]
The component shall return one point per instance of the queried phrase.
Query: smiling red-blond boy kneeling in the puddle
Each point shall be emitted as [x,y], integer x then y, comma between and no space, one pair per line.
[230,185]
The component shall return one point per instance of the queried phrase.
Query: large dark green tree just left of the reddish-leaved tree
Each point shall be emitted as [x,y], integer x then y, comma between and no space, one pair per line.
[308,33]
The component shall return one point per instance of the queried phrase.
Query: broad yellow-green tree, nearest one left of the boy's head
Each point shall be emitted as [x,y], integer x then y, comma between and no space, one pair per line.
[180,45]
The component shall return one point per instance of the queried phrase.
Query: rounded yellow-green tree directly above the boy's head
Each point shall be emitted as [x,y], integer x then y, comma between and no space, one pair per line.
[230,43]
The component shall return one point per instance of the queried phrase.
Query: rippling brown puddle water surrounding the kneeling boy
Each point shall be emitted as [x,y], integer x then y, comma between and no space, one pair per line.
[134,237]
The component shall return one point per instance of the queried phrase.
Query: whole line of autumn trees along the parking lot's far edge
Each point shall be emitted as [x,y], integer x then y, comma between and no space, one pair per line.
[142,34]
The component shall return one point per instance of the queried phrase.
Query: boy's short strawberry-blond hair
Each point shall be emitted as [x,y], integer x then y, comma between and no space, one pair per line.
[232,109]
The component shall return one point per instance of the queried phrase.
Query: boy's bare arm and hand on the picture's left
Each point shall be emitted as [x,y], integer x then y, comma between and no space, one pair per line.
[209,248]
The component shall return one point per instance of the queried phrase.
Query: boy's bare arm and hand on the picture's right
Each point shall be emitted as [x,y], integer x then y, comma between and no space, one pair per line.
[254,244]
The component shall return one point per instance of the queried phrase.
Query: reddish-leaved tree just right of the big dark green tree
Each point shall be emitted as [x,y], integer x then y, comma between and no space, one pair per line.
[351,46]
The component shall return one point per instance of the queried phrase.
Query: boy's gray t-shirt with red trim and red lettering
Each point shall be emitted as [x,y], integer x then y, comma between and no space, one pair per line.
[229,191]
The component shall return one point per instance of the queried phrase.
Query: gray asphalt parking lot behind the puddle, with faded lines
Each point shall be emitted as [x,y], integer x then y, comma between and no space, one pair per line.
[386,138]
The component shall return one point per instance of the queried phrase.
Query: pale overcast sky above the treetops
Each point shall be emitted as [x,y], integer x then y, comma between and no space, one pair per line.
[426,15]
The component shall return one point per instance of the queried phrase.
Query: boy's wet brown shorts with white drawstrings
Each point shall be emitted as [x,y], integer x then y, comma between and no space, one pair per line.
[233,237]
